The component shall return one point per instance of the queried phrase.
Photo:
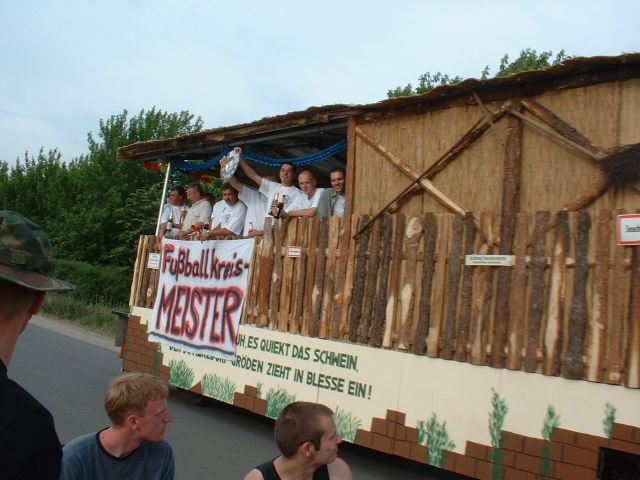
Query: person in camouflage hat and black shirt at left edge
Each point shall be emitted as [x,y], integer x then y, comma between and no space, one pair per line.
[29,446]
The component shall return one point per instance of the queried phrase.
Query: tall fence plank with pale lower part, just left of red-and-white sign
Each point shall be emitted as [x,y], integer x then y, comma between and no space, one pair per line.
[599,317]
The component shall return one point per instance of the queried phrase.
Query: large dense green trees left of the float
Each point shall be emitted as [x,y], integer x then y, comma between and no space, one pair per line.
[95,208]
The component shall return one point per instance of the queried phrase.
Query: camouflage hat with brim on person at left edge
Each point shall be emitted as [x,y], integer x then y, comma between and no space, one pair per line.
[25,254]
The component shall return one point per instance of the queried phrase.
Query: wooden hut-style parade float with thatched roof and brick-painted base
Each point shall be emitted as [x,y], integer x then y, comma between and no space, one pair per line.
[442,348]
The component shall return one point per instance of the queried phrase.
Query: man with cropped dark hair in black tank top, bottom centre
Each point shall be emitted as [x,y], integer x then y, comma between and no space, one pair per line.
[306,435]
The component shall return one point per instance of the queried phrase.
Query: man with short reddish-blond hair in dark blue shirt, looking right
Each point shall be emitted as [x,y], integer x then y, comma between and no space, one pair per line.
[133,446]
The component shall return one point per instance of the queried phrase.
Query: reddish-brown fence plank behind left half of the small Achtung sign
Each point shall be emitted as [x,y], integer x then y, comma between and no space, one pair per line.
[482,294]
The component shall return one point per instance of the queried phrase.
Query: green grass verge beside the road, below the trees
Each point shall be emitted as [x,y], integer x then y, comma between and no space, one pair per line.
[95,315]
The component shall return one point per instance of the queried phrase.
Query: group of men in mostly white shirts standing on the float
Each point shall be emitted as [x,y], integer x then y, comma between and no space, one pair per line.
[242,210]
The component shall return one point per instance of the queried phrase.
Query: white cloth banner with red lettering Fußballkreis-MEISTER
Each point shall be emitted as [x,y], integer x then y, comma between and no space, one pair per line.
[201,294]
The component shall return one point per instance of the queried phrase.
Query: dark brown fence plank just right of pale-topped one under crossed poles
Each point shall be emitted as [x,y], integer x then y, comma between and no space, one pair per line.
[428,269]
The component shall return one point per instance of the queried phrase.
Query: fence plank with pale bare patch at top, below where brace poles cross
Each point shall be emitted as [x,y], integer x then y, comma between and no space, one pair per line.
[413,232]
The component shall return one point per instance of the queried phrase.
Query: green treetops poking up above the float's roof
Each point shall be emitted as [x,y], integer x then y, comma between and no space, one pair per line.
[527,60]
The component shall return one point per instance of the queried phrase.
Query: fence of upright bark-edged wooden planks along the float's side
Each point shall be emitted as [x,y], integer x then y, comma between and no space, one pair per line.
[570,306]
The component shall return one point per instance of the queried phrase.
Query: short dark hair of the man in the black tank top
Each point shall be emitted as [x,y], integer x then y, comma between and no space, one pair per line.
[299,423]
